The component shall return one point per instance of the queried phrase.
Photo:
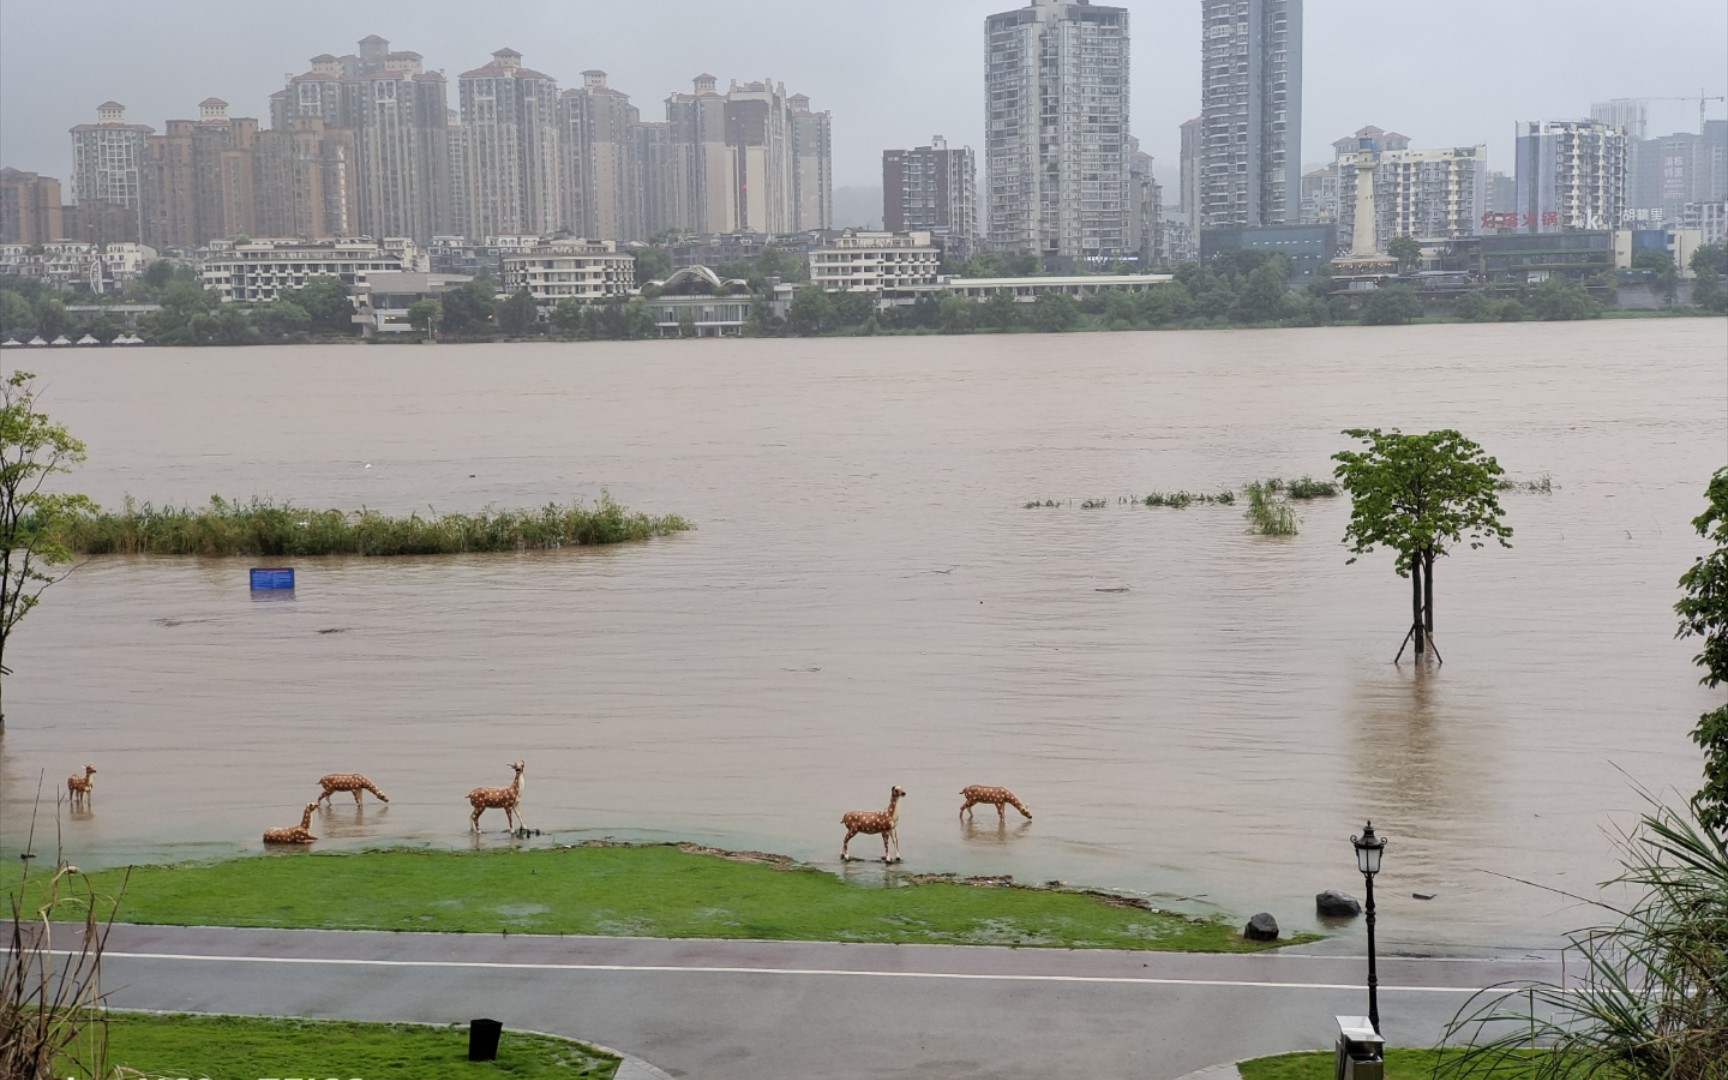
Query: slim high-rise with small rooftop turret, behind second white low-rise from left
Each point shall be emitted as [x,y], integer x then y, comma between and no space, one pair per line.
[600,181]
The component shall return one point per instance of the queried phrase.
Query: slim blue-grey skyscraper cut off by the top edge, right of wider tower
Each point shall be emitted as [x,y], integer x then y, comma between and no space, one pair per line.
[1250,113]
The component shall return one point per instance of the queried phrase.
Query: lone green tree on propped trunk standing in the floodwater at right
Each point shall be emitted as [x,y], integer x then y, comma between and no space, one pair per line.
[1420,495]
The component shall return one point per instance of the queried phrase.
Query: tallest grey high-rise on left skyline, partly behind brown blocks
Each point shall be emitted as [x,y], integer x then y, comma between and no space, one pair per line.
[400,118]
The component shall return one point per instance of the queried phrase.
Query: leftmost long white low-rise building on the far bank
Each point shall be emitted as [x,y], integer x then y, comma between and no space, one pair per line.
[258,272]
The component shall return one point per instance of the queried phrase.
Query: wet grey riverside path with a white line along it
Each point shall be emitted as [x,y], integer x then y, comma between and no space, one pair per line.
[753,1010]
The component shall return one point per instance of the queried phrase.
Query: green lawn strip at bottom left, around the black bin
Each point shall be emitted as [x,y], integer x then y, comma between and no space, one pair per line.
[236,1048]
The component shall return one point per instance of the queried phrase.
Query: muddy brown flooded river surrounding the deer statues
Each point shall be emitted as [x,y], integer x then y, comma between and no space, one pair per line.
[1191,711]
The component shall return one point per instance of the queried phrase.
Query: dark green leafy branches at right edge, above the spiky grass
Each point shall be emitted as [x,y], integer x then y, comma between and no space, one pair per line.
[1705,614]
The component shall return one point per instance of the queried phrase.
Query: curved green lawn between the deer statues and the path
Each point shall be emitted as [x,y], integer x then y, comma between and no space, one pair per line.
[638,893]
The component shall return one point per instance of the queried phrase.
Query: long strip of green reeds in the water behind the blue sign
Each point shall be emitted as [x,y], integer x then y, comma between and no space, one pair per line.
[283,530]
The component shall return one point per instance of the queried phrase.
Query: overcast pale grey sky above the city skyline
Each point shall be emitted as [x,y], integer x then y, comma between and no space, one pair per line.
[891,72]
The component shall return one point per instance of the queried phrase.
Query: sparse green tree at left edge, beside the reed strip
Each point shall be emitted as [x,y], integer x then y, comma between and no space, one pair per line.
[34,448]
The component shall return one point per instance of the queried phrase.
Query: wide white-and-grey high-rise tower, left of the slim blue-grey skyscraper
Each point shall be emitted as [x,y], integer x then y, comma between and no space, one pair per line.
[1057,141]
